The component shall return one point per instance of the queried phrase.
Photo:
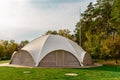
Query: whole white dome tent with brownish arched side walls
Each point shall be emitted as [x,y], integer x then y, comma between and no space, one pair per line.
[51,51]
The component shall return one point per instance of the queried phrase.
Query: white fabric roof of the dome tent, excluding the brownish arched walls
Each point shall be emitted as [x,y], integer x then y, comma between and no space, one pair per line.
[40,47]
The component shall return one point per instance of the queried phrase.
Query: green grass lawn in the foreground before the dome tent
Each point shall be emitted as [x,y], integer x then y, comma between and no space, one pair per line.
[98,73]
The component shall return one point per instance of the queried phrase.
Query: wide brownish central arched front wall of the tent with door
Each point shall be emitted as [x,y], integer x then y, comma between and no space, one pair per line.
[59,58]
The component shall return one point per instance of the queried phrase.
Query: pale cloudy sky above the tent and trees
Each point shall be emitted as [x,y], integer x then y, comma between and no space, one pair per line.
[29,19]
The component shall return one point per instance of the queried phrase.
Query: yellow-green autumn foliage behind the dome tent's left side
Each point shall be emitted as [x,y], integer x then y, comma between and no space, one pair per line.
[8,47]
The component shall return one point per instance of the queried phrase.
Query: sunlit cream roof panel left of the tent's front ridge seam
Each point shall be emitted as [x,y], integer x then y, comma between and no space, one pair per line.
[35,46]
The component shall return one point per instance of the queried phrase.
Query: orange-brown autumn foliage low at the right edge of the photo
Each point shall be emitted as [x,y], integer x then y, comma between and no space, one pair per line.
[111,47]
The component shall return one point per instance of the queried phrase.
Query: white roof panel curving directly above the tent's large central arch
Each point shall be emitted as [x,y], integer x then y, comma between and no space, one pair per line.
[56,42]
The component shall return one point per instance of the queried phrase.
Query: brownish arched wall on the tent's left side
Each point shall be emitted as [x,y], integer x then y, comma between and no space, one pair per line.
[22,57]
